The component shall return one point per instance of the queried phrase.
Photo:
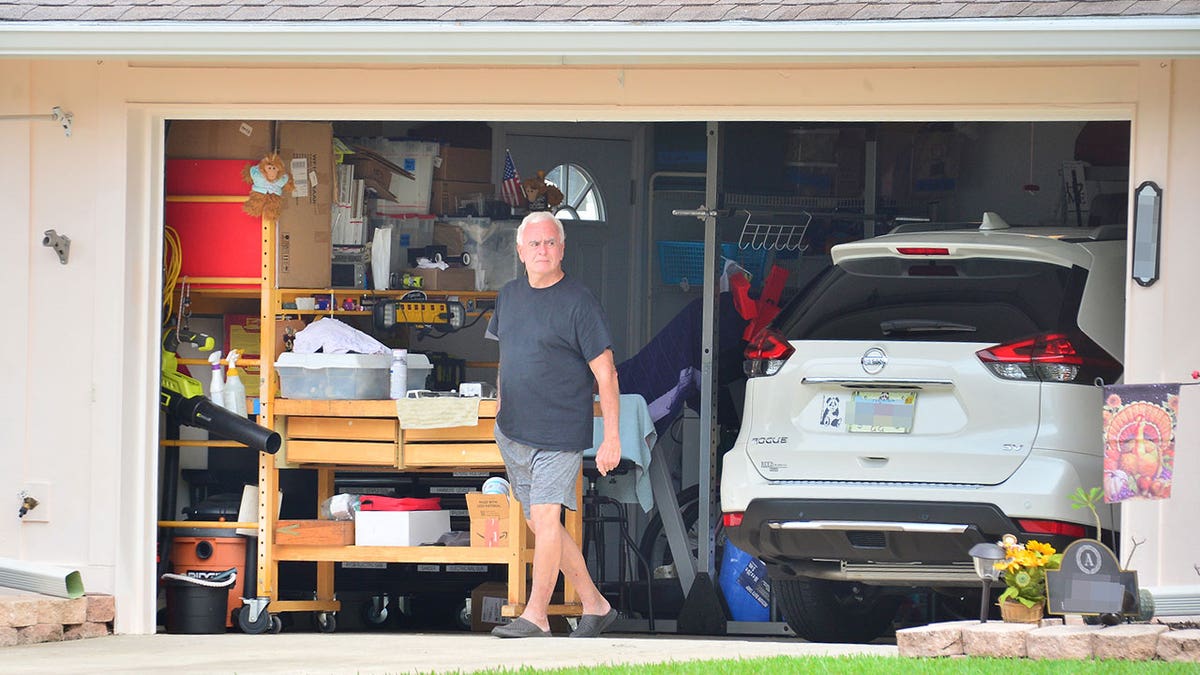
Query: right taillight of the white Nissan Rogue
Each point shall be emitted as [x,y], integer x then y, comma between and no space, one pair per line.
[1054,357]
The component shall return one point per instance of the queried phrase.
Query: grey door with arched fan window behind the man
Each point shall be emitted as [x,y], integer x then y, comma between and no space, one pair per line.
[598,252]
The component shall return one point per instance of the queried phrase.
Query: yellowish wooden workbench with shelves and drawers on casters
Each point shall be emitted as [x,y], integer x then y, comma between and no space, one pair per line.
[333,435]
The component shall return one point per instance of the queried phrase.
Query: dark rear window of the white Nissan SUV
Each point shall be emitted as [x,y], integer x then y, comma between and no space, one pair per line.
[953,301]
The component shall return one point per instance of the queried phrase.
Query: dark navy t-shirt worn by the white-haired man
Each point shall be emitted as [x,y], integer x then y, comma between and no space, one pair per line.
[548,337]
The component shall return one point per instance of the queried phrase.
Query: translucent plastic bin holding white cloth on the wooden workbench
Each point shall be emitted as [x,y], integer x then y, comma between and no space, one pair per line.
[334,377]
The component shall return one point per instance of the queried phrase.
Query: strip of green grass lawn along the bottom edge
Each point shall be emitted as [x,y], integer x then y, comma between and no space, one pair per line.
[871,666]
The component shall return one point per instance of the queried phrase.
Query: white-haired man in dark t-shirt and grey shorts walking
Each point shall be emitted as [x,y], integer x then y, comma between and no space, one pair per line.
[555,344]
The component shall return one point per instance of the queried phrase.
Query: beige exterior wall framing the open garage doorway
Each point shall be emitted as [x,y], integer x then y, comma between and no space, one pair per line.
[81,341]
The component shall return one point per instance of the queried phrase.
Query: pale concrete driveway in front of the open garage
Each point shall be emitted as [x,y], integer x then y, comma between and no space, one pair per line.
[387,653]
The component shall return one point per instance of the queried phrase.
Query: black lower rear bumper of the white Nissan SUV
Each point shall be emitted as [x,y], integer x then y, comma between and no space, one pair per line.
[883,542]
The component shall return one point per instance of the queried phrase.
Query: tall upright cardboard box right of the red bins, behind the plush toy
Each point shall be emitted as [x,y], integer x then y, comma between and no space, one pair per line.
[304,252]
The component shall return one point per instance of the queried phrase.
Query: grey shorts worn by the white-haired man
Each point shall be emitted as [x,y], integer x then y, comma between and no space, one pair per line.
[539,476]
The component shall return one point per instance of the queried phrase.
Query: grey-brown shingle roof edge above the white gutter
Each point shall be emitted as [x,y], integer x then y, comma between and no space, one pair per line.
[639,11]
